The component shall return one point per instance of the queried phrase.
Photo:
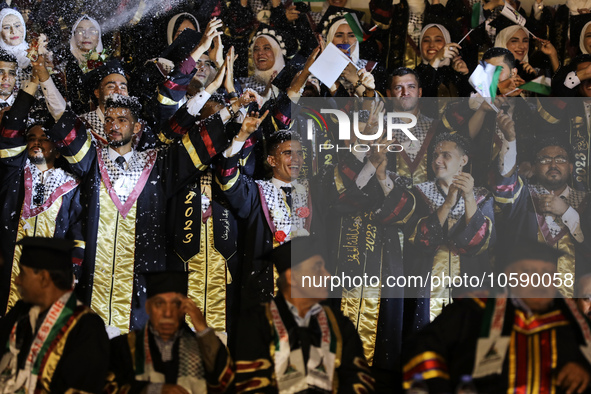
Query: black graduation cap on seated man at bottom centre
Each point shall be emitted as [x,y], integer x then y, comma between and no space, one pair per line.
[294,252]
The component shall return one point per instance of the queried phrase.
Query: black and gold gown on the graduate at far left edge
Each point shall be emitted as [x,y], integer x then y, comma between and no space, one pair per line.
[59,216]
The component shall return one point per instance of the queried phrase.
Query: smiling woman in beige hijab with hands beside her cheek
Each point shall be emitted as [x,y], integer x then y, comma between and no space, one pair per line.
[442,71]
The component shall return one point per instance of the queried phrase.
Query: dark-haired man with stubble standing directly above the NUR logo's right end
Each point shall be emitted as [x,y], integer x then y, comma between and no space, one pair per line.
[411,163]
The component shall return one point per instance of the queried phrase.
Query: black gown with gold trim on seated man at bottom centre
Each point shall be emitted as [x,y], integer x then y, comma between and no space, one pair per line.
[258,351]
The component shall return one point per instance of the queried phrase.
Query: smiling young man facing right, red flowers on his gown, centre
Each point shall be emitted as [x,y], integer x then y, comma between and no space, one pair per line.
[275,210]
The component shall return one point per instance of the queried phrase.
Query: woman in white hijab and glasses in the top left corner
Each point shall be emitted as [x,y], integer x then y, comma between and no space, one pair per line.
[13,41]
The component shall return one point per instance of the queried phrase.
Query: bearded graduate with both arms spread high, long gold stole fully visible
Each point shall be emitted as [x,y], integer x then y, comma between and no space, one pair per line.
[127,191]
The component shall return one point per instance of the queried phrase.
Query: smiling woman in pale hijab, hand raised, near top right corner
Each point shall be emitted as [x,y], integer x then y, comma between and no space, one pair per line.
[516,39]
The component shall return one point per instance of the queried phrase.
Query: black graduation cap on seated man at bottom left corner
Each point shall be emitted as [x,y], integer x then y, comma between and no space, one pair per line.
[46,253]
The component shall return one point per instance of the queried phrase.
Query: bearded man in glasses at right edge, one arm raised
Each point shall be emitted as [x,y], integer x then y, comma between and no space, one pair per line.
[546,209]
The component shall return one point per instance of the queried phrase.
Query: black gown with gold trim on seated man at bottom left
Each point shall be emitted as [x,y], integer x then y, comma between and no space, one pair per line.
[76,358]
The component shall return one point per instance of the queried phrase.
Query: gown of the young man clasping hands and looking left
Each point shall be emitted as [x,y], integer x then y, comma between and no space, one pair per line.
[454,249]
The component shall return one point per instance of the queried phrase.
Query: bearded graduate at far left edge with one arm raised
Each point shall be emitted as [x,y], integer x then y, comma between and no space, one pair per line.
[39,199]
